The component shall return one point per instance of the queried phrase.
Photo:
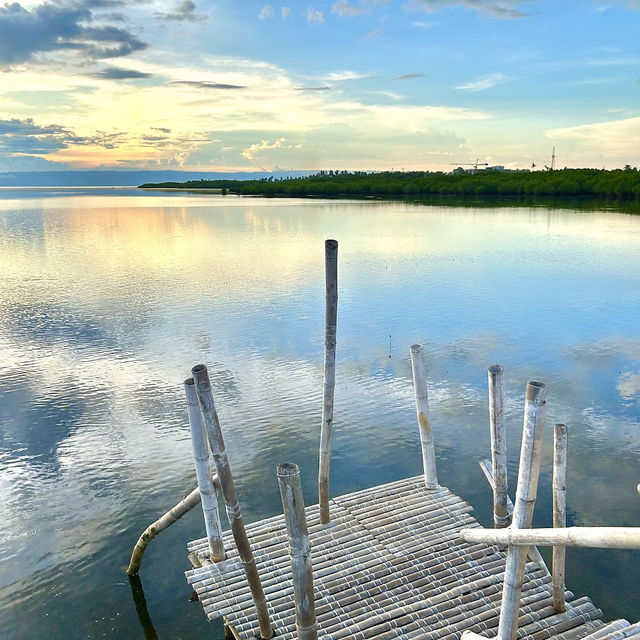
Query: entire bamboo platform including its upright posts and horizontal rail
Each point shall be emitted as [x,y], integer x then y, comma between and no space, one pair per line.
[405,560]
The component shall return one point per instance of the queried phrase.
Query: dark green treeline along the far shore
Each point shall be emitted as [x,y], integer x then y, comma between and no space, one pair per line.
[618,183]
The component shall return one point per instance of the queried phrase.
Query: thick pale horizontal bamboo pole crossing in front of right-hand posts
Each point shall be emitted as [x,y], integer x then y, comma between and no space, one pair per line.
[597,537]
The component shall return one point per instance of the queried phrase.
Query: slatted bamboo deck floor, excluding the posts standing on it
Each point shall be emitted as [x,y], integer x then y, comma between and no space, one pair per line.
[390,565]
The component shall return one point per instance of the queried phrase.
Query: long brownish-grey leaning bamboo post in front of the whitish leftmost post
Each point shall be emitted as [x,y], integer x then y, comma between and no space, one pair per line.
[216,442]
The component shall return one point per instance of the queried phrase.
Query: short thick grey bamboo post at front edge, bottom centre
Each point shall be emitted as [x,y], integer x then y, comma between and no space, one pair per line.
[299,550]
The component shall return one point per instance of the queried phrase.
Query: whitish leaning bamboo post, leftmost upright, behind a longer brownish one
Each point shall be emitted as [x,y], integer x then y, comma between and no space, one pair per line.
[205,483]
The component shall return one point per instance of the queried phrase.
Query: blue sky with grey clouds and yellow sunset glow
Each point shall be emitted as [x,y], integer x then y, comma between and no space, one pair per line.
[242,85]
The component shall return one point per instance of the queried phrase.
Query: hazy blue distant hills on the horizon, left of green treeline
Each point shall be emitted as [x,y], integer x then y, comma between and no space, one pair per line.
[125,178]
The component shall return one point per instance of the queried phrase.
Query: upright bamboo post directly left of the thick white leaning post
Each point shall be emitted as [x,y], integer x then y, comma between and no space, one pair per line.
[501,514]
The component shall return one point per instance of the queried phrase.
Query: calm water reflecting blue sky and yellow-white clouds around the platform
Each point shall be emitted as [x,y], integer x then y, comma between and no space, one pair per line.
[108,297]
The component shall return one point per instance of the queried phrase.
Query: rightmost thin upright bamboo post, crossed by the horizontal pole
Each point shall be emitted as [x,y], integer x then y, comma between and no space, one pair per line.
[559,513]
